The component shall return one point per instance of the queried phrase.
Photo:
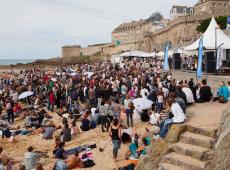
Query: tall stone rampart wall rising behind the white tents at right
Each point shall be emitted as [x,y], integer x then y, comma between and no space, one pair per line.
[179,32]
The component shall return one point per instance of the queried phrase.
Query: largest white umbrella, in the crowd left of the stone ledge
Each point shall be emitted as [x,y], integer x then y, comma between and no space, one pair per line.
[142,104]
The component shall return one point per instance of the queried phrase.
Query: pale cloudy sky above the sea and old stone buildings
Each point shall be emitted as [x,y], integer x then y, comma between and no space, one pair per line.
[39,28]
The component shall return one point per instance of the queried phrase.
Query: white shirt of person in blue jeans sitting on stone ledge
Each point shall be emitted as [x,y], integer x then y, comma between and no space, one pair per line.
[178,113]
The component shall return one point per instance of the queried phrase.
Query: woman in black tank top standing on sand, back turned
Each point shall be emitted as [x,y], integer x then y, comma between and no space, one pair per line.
[115,134]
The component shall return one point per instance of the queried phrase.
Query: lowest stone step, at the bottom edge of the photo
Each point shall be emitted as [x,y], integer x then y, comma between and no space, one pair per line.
[185,162]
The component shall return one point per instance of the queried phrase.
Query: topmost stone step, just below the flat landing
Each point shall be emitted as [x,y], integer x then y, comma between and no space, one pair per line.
[210,132]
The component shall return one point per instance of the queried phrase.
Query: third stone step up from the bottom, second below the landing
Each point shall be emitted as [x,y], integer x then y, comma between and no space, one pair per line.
[196,139]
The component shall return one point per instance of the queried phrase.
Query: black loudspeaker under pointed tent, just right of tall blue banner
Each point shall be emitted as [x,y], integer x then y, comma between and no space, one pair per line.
[209,62]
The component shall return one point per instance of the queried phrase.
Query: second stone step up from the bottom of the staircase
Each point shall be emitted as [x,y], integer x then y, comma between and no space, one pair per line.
[190,150]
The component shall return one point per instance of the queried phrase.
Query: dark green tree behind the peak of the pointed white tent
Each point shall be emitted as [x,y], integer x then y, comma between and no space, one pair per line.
[221,21]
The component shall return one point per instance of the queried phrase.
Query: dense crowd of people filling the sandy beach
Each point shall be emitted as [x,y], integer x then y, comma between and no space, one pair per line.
[94,94]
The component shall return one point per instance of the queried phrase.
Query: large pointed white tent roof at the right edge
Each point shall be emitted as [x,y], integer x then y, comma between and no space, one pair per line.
[213,32]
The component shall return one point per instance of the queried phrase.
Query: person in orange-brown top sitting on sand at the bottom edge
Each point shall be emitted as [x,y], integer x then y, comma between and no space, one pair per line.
[74,161]
